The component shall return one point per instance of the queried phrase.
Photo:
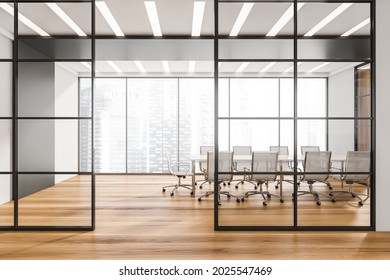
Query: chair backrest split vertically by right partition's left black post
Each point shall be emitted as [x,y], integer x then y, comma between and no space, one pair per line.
[225,163]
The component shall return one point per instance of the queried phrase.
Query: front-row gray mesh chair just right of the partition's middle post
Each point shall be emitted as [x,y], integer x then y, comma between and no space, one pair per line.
[316,162]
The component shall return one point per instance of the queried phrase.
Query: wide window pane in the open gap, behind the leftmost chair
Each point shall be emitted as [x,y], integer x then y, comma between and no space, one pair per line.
[152,124]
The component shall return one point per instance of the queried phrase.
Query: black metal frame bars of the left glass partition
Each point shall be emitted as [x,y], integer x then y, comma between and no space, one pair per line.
[15,124]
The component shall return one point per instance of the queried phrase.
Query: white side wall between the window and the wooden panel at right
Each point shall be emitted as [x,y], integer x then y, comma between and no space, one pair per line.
[341,104]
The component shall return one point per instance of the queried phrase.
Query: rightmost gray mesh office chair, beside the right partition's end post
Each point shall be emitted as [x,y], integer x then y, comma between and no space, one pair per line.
[357,161]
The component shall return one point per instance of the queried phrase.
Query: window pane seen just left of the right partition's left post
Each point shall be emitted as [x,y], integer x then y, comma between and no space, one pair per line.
[196,112]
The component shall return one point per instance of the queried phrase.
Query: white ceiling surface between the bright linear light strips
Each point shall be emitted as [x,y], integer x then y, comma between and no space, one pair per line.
[176,19]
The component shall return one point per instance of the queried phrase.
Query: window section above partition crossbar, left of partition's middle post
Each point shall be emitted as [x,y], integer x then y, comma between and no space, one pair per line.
[254,97]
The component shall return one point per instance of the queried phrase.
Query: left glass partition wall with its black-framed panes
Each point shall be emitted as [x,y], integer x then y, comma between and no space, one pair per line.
[40,109]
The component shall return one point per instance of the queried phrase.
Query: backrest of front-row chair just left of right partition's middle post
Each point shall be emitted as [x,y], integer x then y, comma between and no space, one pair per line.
[264,162]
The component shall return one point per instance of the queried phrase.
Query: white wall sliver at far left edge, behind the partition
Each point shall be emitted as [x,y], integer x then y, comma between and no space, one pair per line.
[5,125]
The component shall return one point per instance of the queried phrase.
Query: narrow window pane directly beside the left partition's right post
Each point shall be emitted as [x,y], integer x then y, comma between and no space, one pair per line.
[110,125]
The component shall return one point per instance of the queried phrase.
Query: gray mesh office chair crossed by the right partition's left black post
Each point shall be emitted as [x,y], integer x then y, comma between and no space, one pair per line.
[225,164]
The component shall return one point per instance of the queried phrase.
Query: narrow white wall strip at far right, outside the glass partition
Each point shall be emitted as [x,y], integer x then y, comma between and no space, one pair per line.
[382,115]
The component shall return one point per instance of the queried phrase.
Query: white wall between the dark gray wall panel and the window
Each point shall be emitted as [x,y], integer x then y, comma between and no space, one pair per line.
[66,131]
